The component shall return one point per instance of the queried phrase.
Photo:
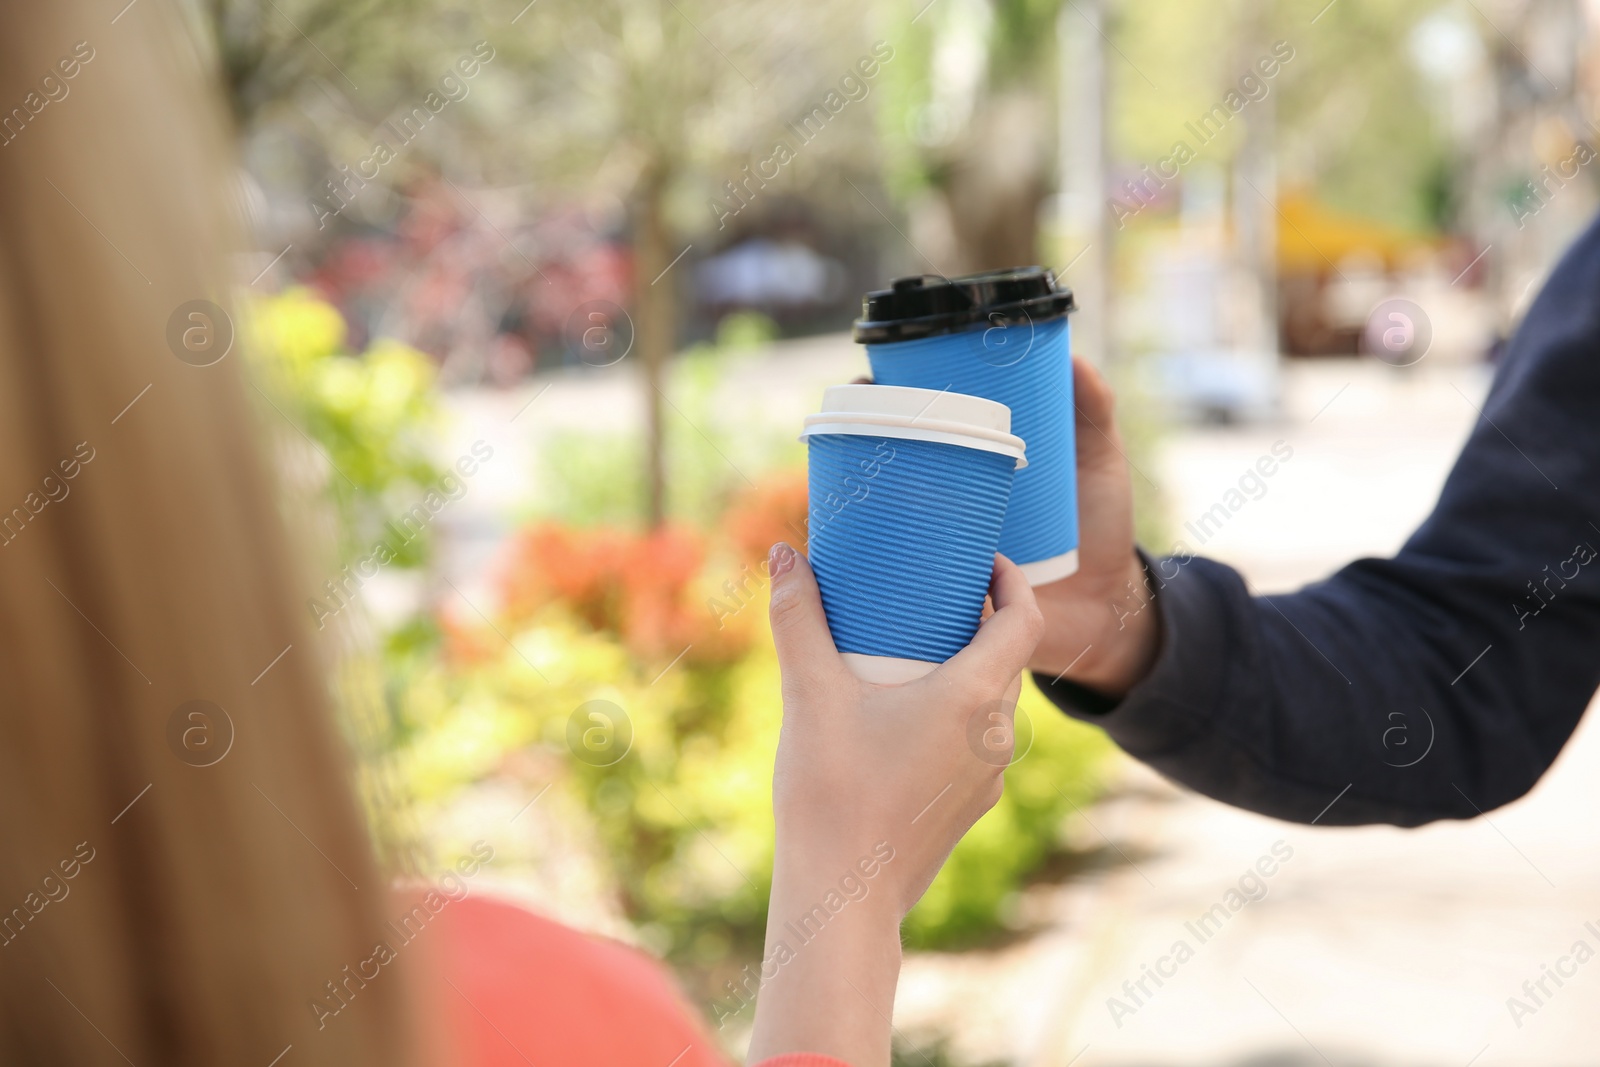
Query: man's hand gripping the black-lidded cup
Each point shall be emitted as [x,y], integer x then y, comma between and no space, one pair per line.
[1100,625]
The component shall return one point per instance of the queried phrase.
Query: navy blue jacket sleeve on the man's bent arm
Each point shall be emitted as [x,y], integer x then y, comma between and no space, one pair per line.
[1438,684]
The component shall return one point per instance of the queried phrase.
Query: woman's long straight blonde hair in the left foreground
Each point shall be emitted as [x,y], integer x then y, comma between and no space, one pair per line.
[153,911]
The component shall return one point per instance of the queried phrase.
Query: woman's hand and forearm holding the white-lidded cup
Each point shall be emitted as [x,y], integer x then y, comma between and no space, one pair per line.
[873,789]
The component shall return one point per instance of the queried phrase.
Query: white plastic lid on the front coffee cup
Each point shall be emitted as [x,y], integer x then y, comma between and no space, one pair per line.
[921,415]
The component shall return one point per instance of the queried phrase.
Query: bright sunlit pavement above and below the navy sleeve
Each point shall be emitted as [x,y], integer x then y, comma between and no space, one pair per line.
[1374,946]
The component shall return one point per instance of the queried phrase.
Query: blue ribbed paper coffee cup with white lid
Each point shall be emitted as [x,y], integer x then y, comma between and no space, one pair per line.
[910,490]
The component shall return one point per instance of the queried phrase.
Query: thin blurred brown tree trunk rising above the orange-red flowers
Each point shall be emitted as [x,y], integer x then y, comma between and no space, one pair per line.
[655,330]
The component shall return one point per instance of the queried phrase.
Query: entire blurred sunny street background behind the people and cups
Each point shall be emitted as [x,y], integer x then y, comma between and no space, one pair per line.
[542,292]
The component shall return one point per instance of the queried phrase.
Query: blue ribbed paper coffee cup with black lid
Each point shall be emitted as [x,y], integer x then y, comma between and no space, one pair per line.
[1002,337]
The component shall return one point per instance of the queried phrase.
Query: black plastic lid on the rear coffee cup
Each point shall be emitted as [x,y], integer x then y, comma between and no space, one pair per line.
[932,305]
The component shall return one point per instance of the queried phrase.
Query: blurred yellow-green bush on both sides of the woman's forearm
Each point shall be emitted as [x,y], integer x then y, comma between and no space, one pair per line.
[686,815]
